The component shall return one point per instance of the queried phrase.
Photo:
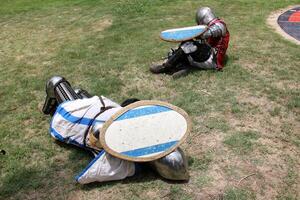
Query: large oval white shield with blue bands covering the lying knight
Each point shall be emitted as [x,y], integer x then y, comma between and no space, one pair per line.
[145,131]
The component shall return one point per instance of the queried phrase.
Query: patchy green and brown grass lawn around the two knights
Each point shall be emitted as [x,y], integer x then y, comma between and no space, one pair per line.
[245,142]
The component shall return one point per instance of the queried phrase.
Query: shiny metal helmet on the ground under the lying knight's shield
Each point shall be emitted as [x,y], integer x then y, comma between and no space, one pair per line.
[172,166]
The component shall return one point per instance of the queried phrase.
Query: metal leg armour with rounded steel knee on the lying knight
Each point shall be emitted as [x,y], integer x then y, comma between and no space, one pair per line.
[58,90]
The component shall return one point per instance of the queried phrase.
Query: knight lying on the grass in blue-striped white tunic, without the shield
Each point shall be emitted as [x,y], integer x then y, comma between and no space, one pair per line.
[77,118]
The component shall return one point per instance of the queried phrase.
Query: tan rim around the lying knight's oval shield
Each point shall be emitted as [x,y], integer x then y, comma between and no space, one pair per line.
[134,105]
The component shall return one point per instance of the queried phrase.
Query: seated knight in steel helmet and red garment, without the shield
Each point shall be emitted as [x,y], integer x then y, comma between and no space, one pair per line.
[205,52]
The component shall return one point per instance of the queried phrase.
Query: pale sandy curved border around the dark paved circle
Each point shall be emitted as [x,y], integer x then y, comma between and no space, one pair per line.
[272,21]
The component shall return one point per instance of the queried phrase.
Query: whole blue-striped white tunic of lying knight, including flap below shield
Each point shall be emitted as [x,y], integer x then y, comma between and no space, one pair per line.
[69,124]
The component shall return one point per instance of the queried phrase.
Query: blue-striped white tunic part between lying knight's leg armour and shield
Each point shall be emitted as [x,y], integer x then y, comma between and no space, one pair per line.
[73,118]
